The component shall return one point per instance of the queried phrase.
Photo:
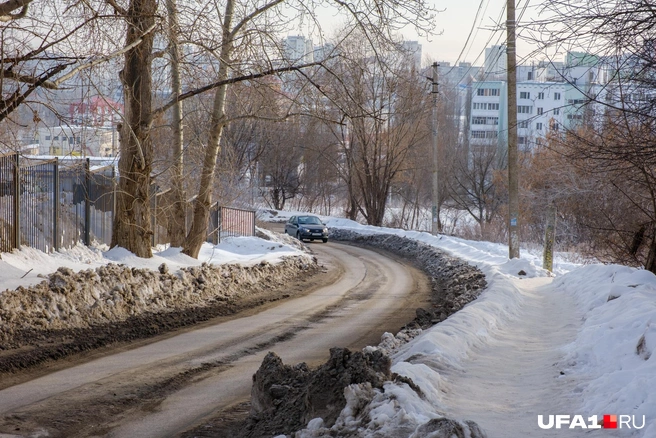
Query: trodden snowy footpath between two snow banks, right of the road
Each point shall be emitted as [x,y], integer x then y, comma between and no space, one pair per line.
[507,382]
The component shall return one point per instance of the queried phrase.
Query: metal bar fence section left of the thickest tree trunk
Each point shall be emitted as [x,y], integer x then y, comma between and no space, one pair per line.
[49,204]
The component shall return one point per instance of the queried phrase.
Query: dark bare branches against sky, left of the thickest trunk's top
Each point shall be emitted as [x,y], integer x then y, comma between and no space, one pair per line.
[44,46]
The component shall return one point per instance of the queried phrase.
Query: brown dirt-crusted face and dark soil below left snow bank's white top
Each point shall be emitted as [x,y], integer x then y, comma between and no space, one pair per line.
[75,314]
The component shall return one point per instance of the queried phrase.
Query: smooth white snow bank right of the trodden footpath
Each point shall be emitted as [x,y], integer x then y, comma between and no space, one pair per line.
[615,348]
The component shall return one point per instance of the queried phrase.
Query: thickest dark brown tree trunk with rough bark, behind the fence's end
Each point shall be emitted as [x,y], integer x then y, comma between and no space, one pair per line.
[132,228]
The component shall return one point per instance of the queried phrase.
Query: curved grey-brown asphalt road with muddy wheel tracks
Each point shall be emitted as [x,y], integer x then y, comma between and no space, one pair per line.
[374,294]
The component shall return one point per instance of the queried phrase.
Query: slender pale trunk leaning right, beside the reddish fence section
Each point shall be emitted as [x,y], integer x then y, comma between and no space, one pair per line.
[198,233]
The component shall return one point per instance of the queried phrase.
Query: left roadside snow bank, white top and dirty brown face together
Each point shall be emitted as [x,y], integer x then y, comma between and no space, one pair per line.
[90,287]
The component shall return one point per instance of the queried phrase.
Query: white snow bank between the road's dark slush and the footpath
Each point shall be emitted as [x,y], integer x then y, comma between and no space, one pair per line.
[401,410]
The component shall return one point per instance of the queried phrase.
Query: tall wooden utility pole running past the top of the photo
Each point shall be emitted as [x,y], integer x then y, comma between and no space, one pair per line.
[513,185]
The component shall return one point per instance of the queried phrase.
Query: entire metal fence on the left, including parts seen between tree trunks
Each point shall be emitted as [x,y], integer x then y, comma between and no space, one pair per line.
[51,204]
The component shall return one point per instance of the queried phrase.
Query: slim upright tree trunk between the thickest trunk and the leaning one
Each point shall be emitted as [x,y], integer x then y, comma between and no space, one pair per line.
[176,224]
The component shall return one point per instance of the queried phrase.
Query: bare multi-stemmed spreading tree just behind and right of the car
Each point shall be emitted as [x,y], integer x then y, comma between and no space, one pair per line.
[379,100]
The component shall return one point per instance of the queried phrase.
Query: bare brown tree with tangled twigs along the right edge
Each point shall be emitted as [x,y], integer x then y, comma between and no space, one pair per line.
[613,152]
